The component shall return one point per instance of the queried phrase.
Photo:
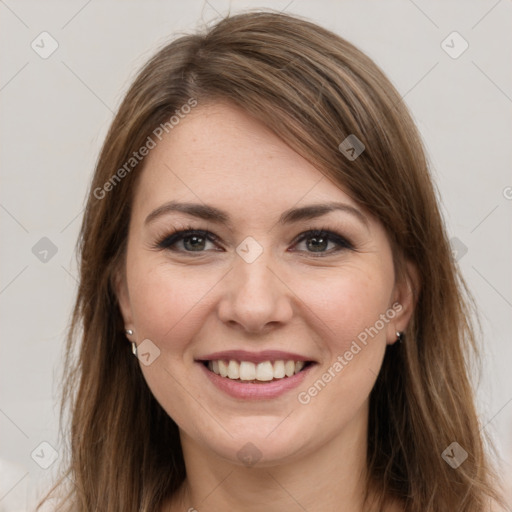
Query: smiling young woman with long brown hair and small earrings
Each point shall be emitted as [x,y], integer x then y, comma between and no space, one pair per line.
[262,233]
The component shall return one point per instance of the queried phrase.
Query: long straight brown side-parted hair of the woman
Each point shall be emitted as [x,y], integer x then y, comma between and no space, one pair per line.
[313,89]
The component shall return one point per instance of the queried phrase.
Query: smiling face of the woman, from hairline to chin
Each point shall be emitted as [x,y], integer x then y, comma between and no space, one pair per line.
[234,261]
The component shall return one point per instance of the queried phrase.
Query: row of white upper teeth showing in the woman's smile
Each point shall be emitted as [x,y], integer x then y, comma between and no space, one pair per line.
[246,370]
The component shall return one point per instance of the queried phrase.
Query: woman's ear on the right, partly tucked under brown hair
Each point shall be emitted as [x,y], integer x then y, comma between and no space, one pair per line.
[405,296]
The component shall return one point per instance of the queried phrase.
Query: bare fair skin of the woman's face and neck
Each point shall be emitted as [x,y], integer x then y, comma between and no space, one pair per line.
[290,298]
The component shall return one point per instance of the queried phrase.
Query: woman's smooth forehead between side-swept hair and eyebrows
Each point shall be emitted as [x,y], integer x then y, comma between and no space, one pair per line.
[218,154]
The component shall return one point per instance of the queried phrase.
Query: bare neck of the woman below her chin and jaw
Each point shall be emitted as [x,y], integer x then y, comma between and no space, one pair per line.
[329,476]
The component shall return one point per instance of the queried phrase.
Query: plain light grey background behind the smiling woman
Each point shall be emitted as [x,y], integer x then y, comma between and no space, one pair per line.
[55,114]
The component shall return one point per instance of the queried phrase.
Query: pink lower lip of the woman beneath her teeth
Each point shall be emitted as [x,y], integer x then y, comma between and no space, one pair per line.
[252,391]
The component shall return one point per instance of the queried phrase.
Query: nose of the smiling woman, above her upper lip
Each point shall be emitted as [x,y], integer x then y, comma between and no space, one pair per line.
[255,298]
